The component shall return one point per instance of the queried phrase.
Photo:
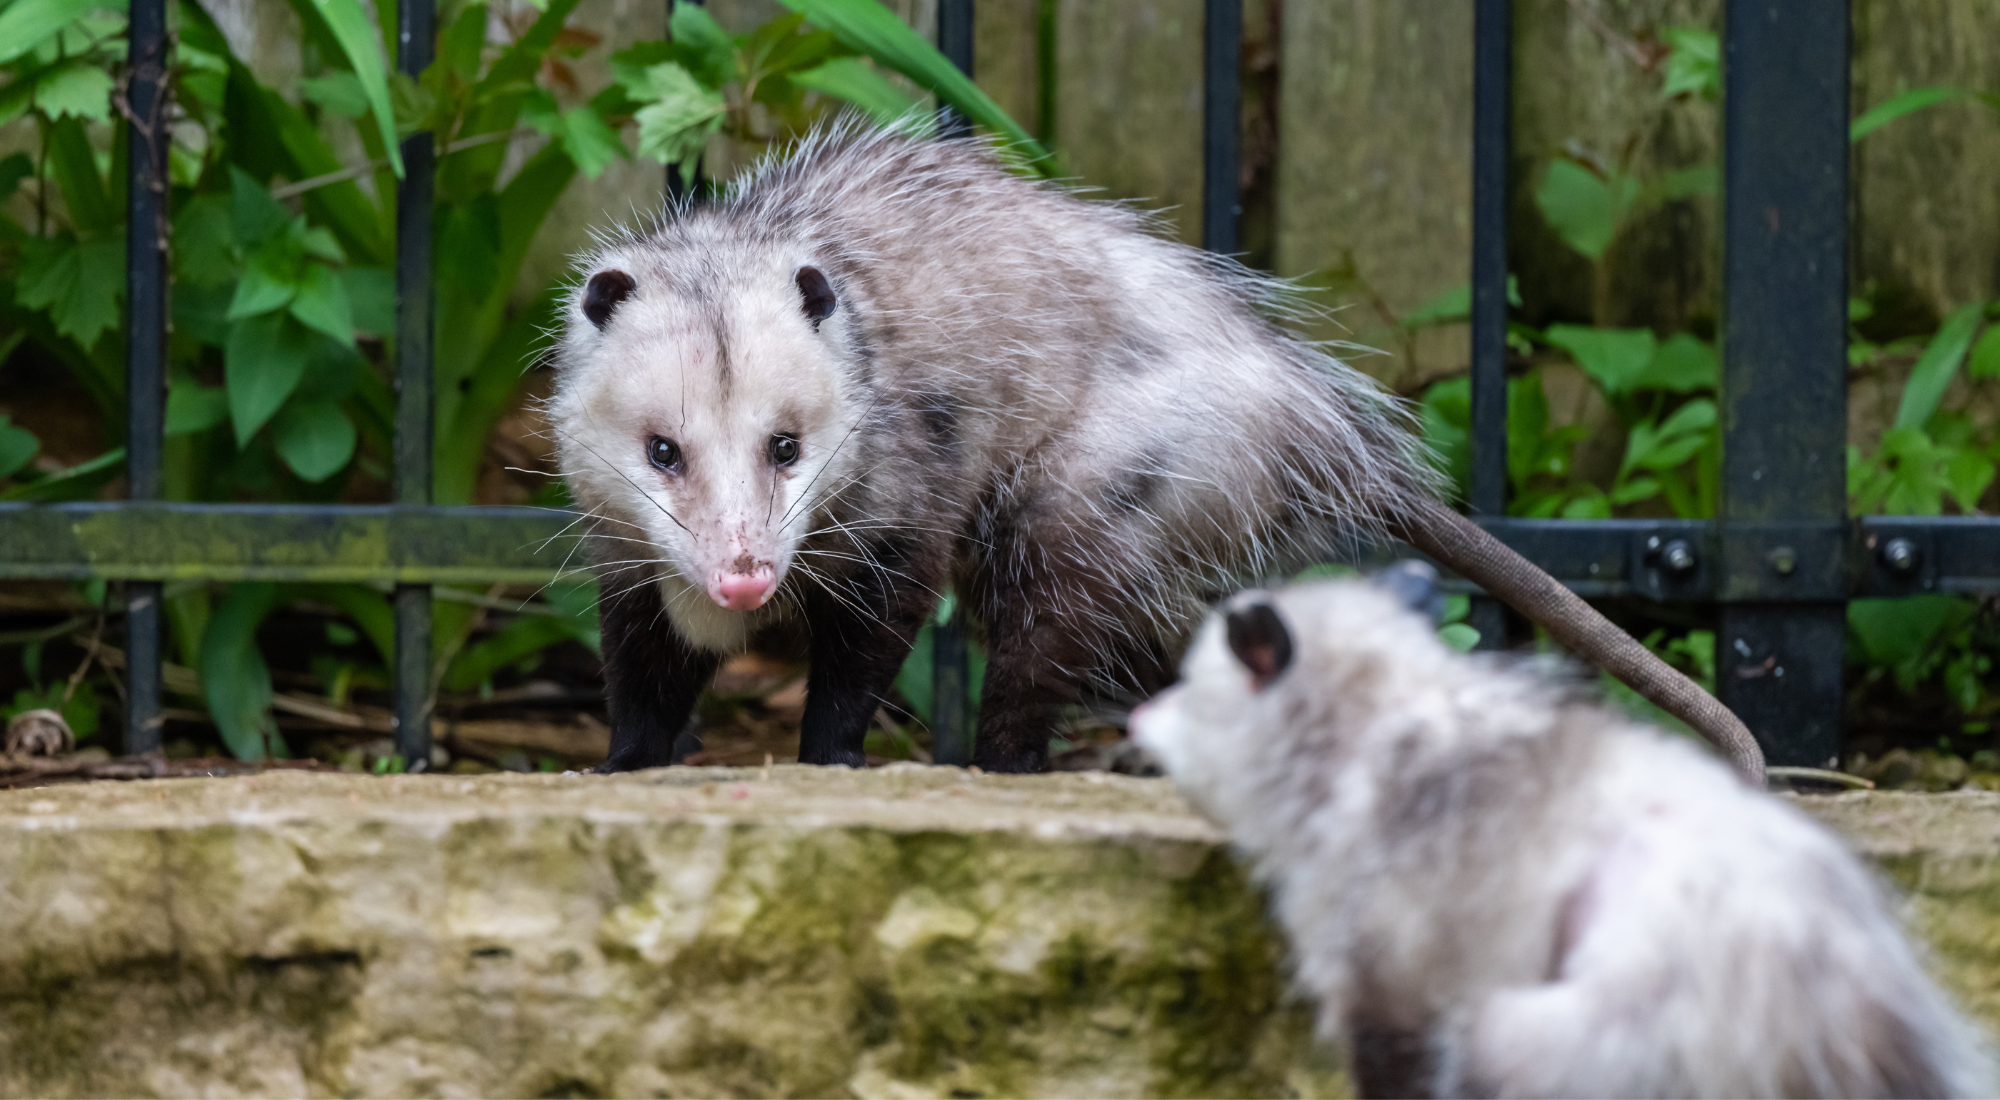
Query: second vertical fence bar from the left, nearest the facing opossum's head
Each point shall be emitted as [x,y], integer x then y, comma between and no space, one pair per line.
[415,405]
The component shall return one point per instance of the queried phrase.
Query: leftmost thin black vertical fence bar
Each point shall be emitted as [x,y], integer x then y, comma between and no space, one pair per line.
[147,135]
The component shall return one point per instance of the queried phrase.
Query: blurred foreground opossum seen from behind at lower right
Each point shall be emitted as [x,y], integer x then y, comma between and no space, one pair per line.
[1495,887]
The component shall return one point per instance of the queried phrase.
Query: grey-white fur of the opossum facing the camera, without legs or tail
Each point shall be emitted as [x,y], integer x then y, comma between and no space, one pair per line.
[1083,405]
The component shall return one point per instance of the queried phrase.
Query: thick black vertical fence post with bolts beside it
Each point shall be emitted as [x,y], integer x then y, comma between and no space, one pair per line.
[1783,351]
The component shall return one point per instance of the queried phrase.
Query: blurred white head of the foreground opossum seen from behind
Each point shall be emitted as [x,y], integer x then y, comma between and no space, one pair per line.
[1283,677]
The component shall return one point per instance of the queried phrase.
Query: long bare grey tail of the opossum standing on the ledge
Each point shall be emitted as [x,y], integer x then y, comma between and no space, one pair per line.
[1489,563]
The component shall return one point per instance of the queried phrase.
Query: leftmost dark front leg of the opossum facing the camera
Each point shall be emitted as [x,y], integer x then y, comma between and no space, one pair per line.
[651,675]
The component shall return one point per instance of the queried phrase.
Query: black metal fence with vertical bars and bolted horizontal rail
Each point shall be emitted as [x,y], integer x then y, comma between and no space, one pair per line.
[1781,559]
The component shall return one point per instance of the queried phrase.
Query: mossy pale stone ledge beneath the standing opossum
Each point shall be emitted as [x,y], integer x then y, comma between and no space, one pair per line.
[705,931]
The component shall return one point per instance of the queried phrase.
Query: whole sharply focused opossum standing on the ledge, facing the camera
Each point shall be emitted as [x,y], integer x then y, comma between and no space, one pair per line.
[885,367]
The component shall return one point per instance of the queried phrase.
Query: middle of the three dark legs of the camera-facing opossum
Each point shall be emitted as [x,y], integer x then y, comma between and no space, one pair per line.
[859,643]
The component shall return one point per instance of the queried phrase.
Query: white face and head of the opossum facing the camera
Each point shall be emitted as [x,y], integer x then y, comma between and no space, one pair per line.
[703,415]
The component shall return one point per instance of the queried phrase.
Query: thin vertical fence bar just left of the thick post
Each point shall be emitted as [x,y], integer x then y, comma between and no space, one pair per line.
[1493,129]
